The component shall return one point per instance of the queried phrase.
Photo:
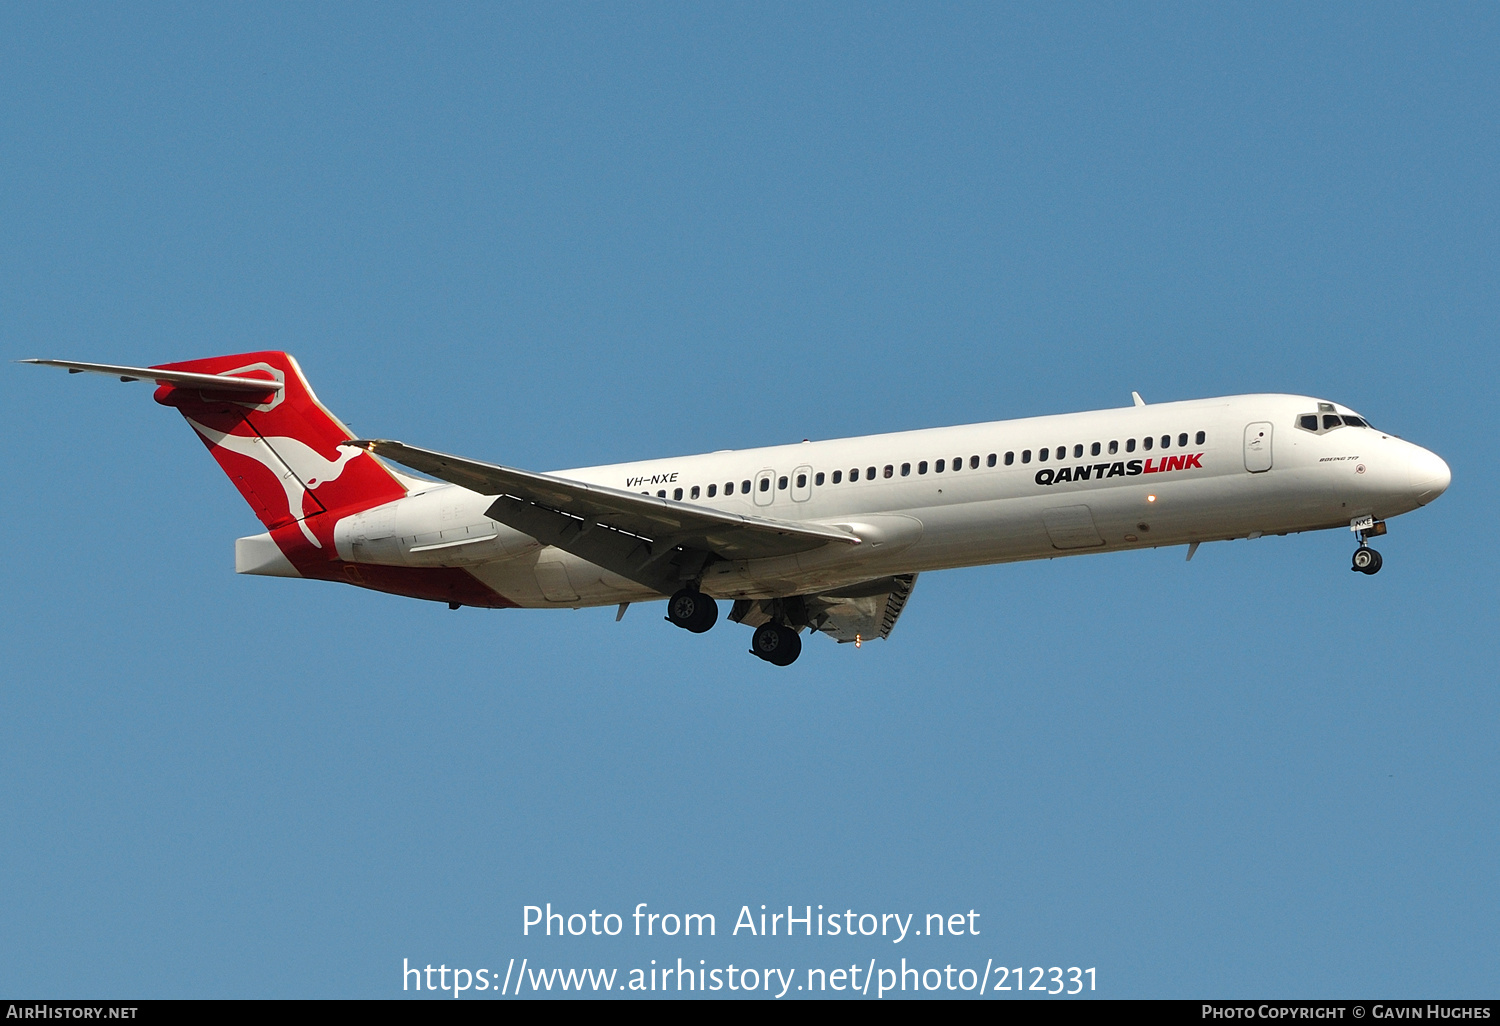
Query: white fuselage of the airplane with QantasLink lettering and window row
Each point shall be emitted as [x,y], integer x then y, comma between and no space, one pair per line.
[1237,467]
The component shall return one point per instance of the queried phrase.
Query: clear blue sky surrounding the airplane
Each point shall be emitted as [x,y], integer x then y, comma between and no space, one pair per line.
[556,236]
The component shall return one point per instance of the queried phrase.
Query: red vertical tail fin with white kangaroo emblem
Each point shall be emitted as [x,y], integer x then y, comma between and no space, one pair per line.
[281,449]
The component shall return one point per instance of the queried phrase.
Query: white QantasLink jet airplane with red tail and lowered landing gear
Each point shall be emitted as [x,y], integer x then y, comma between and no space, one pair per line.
[818,536]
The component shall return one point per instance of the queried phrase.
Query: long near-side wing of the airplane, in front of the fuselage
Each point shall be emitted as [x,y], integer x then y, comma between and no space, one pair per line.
[646,539]
